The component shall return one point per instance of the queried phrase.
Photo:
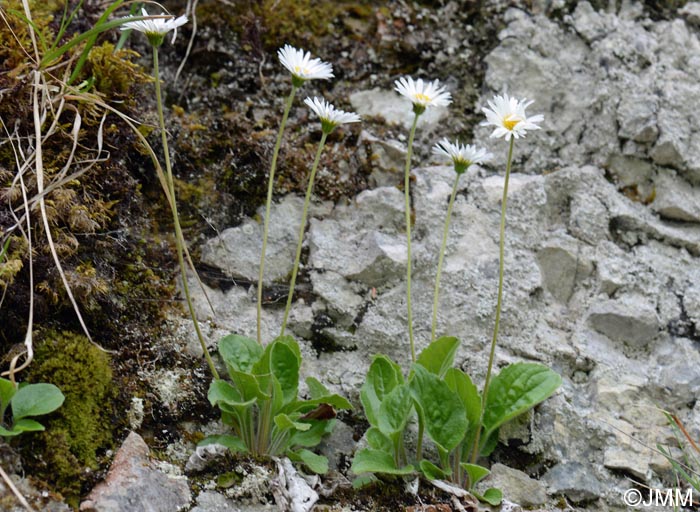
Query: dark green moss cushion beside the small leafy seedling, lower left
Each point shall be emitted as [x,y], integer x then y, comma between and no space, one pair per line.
[83,426]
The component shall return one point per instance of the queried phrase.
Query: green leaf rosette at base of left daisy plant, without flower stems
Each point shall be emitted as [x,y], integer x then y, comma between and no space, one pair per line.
[262,406]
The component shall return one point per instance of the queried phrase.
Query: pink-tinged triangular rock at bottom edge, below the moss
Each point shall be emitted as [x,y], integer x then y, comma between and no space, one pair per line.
[134,483]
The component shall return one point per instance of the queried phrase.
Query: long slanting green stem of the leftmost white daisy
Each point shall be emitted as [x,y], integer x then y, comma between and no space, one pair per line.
[179,239]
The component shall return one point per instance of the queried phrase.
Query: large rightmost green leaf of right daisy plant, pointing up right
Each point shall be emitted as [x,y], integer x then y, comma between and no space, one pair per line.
[518,388]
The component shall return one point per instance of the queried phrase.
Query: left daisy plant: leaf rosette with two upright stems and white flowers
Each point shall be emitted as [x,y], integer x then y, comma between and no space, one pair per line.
[261,402]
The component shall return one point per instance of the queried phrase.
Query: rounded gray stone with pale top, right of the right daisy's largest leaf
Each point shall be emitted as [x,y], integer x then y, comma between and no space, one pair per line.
[630,319]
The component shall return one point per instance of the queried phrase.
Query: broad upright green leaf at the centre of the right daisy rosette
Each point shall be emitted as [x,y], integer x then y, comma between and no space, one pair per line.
[443,412]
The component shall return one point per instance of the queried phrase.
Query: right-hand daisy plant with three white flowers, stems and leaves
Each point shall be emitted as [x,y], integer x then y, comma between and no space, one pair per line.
[462,423]
